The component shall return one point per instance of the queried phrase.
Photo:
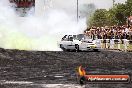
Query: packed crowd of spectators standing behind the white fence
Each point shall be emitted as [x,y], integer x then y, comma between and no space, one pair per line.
[110,32]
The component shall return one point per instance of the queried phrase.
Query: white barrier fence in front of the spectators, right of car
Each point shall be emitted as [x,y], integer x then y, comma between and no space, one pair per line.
[115,44]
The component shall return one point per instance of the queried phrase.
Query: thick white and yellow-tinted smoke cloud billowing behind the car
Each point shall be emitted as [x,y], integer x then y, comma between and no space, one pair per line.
[35,32]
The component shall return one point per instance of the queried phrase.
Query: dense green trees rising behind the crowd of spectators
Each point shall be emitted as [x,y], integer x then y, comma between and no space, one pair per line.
[117,15]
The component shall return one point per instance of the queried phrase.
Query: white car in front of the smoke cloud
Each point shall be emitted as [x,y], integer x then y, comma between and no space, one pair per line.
[78,42]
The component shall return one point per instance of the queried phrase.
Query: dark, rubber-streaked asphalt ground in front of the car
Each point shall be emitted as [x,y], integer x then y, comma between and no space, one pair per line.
[37,69]
